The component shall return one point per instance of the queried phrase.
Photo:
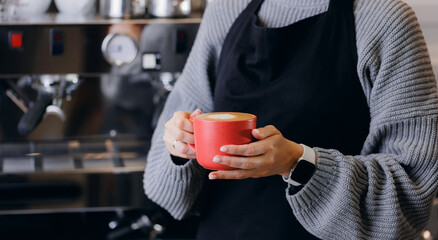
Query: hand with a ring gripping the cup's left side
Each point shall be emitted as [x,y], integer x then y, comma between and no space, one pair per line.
[180,128]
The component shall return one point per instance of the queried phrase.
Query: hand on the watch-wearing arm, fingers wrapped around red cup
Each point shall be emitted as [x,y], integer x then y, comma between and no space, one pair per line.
[272,155]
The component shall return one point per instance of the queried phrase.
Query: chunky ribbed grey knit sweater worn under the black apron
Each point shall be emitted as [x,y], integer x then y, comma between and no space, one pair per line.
[384,193]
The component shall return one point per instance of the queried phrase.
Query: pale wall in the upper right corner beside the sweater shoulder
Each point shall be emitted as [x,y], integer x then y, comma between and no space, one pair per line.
[427,13]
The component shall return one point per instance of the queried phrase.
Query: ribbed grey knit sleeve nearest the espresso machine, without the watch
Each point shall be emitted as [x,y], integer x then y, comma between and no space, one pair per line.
[175,187]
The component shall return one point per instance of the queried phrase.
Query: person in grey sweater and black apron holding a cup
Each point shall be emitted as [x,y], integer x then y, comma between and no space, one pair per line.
[351,80]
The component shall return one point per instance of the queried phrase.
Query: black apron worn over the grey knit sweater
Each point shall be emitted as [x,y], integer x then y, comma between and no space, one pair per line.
[300,78]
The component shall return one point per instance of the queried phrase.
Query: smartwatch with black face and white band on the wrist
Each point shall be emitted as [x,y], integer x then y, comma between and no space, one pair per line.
[304,169]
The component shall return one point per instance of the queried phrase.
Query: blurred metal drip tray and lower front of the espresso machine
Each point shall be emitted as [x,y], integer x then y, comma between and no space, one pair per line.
[72,175]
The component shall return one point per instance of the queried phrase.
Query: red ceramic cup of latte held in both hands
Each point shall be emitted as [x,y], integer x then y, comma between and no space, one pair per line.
[214,130]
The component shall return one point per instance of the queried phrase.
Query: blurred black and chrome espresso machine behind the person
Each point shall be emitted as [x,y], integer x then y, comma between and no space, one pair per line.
[79,101]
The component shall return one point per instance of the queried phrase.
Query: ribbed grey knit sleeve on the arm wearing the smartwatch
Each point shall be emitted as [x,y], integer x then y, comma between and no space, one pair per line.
[387,191]
